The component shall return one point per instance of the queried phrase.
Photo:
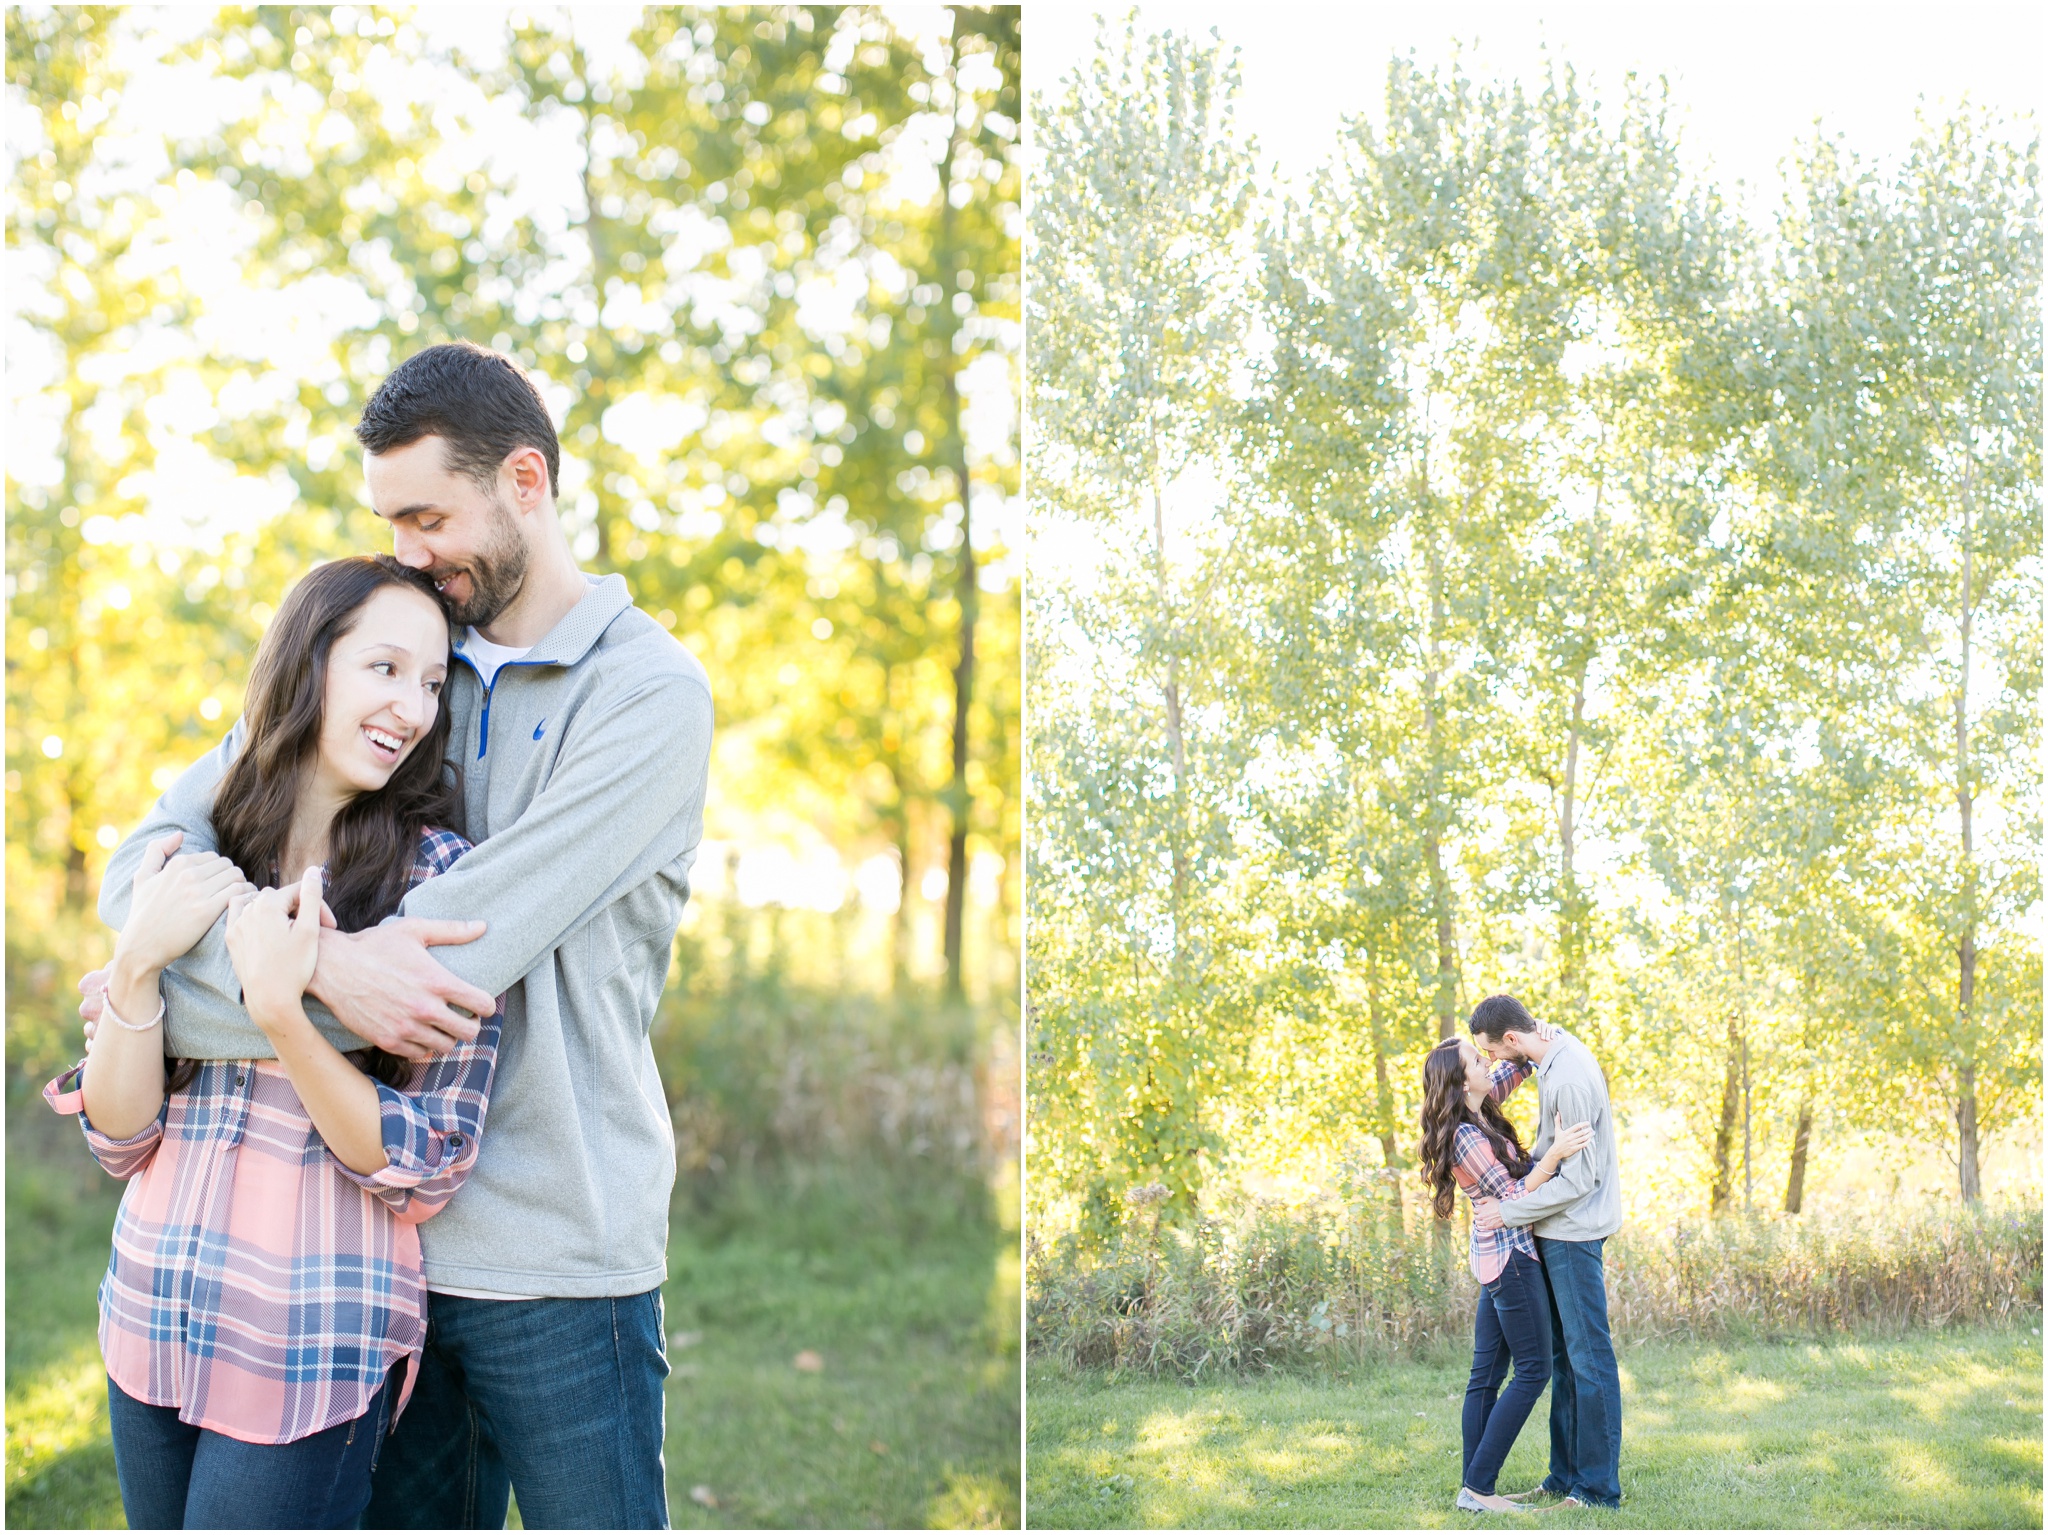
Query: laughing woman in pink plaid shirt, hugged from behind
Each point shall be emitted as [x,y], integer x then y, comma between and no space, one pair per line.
[265,1307]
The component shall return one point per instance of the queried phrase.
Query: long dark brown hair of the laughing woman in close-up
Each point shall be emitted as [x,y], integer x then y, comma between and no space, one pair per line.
[376,838]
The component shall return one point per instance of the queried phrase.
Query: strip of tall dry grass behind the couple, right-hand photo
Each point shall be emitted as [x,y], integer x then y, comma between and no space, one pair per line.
[1261,1286]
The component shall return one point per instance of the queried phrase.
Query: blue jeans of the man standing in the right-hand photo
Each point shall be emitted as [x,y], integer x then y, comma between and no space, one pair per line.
[1586,1389]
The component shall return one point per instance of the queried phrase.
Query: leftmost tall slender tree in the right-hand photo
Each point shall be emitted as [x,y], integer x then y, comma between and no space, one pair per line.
[1138,310]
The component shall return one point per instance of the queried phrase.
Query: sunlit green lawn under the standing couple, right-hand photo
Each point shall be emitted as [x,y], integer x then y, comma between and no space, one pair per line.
[1940,1430]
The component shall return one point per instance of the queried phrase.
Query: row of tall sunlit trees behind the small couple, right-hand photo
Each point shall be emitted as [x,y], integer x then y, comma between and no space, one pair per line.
[1576,593]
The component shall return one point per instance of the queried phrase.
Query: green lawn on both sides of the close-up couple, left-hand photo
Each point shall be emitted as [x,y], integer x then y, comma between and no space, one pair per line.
[898,1286]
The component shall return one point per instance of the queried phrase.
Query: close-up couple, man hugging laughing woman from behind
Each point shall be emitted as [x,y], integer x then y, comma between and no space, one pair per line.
[374,1045]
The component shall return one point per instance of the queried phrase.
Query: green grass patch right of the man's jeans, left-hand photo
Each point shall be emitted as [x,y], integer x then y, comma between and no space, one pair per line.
[906,1301]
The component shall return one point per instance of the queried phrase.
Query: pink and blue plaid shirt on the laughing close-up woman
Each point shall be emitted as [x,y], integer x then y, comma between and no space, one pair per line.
[257,1284]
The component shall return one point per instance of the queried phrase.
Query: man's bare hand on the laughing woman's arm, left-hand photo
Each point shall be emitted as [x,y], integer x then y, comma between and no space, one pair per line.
[386,988]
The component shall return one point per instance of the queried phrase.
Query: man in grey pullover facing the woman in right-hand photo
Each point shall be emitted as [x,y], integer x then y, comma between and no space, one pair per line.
[1574,1215]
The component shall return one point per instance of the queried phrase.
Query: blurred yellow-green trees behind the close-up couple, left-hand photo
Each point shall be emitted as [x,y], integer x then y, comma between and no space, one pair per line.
[763,261]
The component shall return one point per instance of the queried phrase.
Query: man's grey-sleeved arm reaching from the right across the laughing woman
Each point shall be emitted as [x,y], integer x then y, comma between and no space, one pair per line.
[632,773]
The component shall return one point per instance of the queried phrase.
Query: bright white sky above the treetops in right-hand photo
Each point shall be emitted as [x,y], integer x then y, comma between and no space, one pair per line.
[1748,81]
